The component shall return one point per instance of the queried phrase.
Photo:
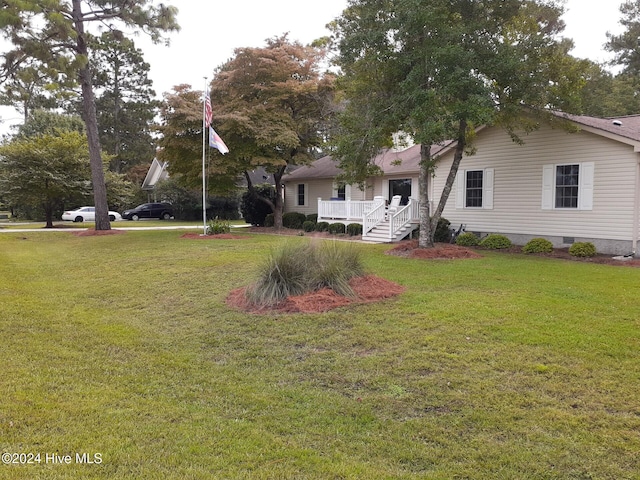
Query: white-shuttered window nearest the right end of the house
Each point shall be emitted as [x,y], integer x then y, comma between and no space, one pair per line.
[567,186]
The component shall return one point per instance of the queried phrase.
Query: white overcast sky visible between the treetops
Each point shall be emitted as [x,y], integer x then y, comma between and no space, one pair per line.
[211,30]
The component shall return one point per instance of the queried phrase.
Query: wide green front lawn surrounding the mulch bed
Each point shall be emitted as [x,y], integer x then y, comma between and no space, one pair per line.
[504,367]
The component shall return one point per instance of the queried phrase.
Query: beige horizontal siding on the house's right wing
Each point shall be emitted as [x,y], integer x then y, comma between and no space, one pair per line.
[606,203]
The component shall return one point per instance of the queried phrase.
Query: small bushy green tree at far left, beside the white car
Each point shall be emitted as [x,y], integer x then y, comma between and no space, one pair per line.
[46,171]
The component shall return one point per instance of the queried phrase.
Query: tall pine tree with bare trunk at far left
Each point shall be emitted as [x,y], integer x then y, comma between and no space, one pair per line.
[55,34]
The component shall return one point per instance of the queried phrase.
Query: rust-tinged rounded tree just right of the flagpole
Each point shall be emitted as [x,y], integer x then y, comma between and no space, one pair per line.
[271,105]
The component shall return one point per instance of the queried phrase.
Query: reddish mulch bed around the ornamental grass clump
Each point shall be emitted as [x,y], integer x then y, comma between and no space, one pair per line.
[368,289]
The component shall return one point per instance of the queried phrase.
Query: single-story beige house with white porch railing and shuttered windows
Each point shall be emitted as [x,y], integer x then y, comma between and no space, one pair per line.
[566,187]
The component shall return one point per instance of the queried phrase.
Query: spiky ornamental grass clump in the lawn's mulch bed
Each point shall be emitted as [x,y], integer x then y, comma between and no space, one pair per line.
[294,269]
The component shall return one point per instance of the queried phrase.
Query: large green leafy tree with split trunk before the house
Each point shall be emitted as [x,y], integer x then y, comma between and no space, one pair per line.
[438,69]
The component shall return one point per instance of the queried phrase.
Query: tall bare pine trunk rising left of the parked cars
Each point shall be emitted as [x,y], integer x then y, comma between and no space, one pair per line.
[90,120]
